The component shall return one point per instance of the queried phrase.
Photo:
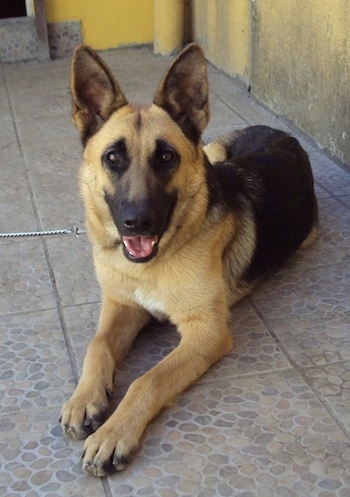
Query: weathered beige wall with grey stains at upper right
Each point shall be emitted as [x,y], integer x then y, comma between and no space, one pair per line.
[294,54]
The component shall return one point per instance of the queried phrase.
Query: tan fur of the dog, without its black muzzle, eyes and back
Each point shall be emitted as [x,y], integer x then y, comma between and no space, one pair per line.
[187,281]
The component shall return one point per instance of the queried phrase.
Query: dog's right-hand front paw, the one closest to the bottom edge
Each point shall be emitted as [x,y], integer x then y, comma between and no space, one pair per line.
[108,450]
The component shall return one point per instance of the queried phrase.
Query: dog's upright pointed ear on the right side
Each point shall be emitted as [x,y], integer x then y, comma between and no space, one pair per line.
[183,92]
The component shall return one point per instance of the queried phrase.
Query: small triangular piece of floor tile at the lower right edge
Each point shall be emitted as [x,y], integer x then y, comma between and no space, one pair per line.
[332,383]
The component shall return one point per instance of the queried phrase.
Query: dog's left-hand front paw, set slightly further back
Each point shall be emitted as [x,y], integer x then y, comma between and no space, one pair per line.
[84,412]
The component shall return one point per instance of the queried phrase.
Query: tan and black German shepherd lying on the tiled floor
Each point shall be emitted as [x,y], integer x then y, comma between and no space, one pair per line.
[178,231]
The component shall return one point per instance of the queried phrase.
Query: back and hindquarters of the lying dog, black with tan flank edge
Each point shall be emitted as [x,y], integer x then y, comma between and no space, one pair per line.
[271,175]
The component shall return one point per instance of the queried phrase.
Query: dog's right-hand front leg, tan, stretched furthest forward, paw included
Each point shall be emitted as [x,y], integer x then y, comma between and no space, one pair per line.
[112,446]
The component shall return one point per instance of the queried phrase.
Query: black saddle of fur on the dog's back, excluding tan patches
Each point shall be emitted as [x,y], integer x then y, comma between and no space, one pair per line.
[276,182]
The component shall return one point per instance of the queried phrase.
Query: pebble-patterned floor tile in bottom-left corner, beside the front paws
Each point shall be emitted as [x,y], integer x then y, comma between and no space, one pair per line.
[37,461]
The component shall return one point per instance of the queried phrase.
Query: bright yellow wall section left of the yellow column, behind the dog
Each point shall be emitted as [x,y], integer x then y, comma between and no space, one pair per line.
[106,23]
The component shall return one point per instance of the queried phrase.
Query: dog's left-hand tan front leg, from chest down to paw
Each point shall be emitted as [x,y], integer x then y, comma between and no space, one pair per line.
[117,328]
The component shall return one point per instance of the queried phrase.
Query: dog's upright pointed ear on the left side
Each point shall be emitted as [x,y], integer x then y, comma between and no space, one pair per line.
[95,92]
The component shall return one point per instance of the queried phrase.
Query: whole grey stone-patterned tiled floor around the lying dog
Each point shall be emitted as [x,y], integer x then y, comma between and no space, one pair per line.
[273,419]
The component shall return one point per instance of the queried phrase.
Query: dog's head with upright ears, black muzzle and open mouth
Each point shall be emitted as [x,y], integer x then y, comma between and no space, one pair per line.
[140,163]
